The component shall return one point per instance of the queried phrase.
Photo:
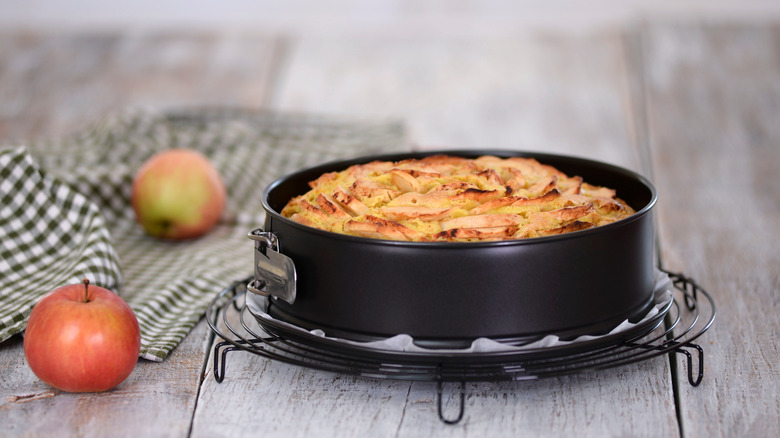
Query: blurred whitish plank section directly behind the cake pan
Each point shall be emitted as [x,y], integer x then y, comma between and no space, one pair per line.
[547,93]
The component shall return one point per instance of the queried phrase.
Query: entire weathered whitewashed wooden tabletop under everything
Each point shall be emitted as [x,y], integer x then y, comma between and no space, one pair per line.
[693,106]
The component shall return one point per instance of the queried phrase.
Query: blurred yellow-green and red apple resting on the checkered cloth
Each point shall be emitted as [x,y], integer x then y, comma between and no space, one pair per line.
[178,194]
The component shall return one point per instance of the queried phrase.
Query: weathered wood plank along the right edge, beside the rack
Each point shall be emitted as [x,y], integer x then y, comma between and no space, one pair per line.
[713,94]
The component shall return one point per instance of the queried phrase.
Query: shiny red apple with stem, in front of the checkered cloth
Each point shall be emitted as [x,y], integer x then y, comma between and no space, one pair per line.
[82,338]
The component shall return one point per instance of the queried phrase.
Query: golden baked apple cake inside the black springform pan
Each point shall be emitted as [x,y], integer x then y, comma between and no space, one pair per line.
[448,198]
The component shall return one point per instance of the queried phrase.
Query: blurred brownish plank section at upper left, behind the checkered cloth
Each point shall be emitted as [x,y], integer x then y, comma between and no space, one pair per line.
[53,85]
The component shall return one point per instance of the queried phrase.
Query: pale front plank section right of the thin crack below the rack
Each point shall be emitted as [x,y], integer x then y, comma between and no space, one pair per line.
[629,401]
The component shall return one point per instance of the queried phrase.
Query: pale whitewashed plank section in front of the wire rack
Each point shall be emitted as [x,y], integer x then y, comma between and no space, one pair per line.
[260,396]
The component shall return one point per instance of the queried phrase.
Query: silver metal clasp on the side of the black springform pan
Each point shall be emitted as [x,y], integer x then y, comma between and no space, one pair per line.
[274,272]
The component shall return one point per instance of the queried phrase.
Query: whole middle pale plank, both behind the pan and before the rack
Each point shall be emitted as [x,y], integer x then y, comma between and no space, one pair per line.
[552,94]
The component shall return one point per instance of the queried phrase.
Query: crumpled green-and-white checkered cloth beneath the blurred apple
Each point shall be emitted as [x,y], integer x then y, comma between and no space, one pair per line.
[65,213]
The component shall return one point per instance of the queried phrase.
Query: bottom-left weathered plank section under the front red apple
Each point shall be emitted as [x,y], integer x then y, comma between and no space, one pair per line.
[155,400]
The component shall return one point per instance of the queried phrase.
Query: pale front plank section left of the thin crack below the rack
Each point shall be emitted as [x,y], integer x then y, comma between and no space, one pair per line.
[257,393]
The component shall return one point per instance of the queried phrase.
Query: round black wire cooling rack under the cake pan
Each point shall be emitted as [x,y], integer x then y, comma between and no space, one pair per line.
[689,314]
